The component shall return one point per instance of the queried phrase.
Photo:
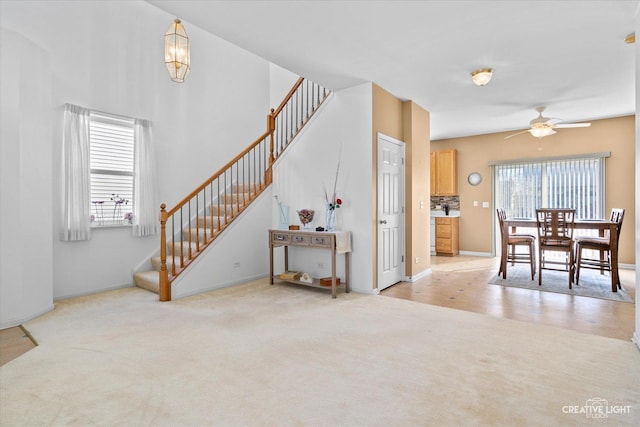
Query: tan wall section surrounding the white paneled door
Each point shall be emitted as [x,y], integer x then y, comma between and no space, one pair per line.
[407,122]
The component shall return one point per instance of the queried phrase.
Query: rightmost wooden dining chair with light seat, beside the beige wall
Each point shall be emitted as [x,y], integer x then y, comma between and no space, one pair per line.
[601,244]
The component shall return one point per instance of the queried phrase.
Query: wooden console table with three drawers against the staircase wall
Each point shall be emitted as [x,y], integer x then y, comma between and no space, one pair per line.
[338,242]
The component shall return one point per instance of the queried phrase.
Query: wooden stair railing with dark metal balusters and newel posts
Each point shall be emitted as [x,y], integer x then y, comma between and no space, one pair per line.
[198,219]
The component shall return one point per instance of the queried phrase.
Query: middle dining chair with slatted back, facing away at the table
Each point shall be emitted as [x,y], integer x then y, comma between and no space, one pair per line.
[555,234]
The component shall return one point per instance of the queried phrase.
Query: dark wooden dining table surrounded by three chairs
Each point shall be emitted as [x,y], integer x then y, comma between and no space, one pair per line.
[601,225]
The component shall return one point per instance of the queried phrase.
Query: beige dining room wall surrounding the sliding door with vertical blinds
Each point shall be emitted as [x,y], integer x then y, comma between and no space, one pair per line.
[474,154]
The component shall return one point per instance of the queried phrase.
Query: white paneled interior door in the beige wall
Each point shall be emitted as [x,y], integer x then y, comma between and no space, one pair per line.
[390,211]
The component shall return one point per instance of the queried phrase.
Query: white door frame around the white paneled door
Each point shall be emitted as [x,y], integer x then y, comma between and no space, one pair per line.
[402,218]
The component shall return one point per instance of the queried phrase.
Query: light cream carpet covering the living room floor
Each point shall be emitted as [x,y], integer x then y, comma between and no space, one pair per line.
[282,355]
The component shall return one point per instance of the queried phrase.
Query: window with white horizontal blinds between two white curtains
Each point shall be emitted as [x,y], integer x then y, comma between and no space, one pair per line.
[111,160]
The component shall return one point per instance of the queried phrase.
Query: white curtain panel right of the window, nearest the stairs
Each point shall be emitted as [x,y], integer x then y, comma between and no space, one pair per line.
[145,189]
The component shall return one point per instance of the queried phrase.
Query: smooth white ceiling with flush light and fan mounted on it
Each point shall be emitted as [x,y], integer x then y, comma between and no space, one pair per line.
[569,56]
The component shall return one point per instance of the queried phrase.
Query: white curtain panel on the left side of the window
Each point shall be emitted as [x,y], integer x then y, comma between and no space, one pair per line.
[76,211]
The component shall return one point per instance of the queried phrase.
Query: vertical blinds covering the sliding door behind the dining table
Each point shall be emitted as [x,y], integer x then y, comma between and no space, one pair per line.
[576,183]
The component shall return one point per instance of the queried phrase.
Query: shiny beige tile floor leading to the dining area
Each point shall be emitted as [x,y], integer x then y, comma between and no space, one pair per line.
[461,283]
